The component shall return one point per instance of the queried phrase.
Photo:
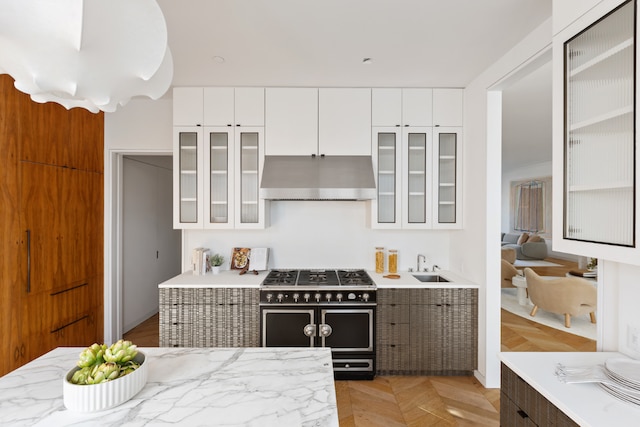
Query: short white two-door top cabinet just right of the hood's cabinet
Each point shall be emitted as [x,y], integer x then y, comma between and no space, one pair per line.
[401,107]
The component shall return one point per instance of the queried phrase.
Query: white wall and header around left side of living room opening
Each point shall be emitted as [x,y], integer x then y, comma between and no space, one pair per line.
[473,251]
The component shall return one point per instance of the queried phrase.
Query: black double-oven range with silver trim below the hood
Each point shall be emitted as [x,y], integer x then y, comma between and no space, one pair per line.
[322,308]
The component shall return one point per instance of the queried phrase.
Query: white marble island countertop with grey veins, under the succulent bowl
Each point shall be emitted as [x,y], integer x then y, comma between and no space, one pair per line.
[187,386]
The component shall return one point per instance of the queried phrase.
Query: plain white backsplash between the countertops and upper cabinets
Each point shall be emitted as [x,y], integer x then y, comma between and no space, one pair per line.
[323,234]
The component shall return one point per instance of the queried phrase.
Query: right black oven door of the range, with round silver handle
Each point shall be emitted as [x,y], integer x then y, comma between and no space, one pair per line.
[351,329]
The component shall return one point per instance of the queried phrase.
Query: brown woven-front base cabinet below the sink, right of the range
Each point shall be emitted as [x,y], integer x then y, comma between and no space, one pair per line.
[427,331]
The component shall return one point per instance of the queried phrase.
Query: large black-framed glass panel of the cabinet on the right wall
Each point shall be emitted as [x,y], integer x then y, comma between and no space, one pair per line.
[599,135]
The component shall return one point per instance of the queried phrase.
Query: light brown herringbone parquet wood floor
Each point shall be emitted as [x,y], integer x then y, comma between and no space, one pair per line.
[392,401]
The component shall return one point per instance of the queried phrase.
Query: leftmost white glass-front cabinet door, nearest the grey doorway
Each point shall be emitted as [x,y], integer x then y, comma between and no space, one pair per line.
[187,191]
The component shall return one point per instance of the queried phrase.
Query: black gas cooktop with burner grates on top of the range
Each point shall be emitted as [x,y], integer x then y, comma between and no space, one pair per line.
[318,278]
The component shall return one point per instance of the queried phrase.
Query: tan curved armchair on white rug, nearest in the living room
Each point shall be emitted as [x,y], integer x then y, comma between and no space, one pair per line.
[571,296]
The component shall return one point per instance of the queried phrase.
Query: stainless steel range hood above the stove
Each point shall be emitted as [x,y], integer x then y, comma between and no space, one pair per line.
[318,178]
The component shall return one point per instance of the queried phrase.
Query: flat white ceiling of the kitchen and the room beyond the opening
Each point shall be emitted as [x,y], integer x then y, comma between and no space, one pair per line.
[412,43]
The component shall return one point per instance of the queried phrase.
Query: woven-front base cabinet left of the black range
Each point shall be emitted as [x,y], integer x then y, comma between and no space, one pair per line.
[209,317]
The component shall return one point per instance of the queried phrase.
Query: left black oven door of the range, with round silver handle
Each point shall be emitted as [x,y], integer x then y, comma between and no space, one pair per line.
[288,327]
